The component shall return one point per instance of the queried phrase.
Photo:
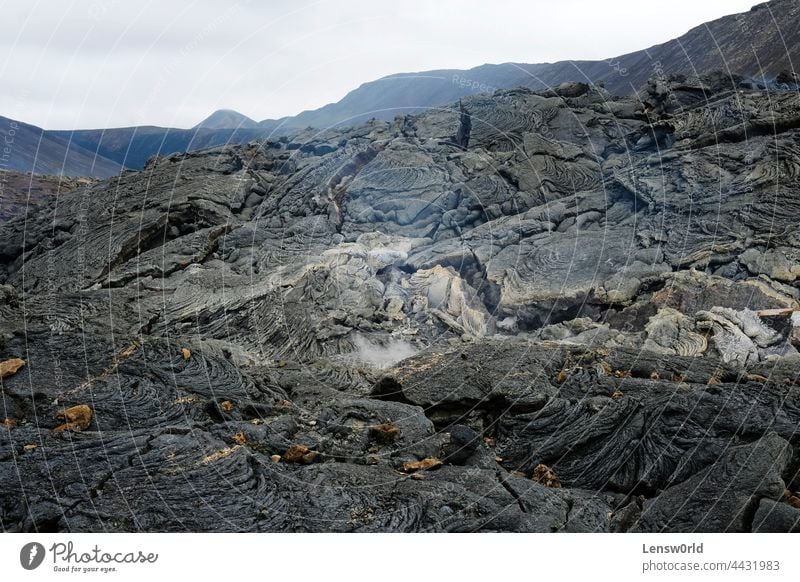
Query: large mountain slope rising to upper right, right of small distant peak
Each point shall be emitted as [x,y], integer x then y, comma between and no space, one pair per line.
[758,43]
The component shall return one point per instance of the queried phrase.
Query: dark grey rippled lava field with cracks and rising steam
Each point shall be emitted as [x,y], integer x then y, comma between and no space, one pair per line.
[543,312]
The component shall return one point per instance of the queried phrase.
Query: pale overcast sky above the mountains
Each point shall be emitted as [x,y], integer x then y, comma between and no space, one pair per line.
[109,63]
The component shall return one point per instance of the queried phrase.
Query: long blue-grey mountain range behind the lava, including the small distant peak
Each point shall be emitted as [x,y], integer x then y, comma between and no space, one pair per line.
[771,29]
